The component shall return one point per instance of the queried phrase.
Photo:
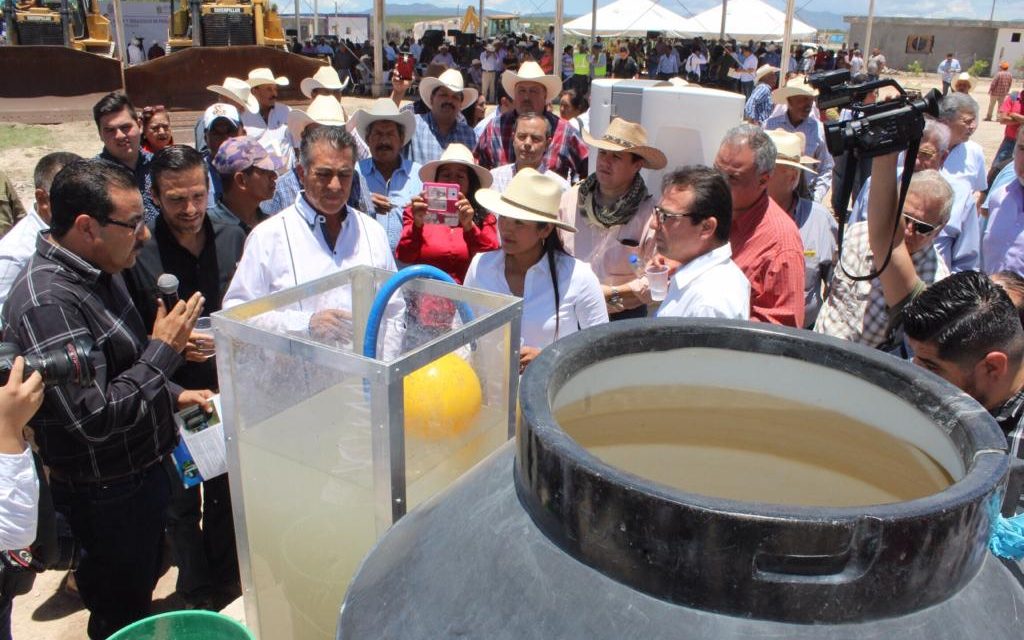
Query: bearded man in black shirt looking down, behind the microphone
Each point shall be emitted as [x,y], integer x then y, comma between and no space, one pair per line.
[202,253]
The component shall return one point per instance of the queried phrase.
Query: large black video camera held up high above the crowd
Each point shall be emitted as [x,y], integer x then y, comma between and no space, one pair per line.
[879,129]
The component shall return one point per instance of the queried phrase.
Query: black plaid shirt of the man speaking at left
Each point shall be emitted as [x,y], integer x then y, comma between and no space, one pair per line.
[124,421]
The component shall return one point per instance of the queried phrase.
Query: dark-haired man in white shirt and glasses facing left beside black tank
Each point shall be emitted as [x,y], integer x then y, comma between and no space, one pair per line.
[692,228]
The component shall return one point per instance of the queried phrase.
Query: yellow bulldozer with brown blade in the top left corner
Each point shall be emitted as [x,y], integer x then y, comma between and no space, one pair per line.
[60,48]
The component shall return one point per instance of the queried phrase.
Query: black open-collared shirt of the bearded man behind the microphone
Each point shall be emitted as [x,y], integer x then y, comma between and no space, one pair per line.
[210,274]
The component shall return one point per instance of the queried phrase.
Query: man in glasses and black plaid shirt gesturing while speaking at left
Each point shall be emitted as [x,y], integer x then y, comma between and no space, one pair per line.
[104,442]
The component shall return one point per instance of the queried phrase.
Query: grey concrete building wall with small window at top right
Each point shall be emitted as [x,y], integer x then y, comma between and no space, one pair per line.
[968,42]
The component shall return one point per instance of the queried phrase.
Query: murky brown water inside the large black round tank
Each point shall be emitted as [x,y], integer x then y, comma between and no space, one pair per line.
[750,447]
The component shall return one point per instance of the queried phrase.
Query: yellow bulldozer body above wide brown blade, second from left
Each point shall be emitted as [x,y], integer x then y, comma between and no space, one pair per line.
[225,23]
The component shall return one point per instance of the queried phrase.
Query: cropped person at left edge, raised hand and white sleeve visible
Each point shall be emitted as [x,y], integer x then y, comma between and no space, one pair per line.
[19,485]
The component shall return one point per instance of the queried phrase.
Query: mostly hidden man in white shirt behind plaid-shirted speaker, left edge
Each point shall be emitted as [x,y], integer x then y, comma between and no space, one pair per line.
[20,244]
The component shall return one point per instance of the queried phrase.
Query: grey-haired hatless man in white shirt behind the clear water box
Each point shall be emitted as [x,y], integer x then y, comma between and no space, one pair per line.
[316,237]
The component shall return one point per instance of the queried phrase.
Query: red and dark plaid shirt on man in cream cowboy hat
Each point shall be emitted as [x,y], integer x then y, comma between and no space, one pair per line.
[567,155]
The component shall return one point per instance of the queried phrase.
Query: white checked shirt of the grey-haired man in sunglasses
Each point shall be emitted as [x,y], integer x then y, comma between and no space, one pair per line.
[857,311]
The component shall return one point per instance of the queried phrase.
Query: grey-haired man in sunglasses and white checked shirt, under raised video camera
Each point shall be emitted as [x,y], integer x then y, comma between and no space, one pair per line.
[863,311]
